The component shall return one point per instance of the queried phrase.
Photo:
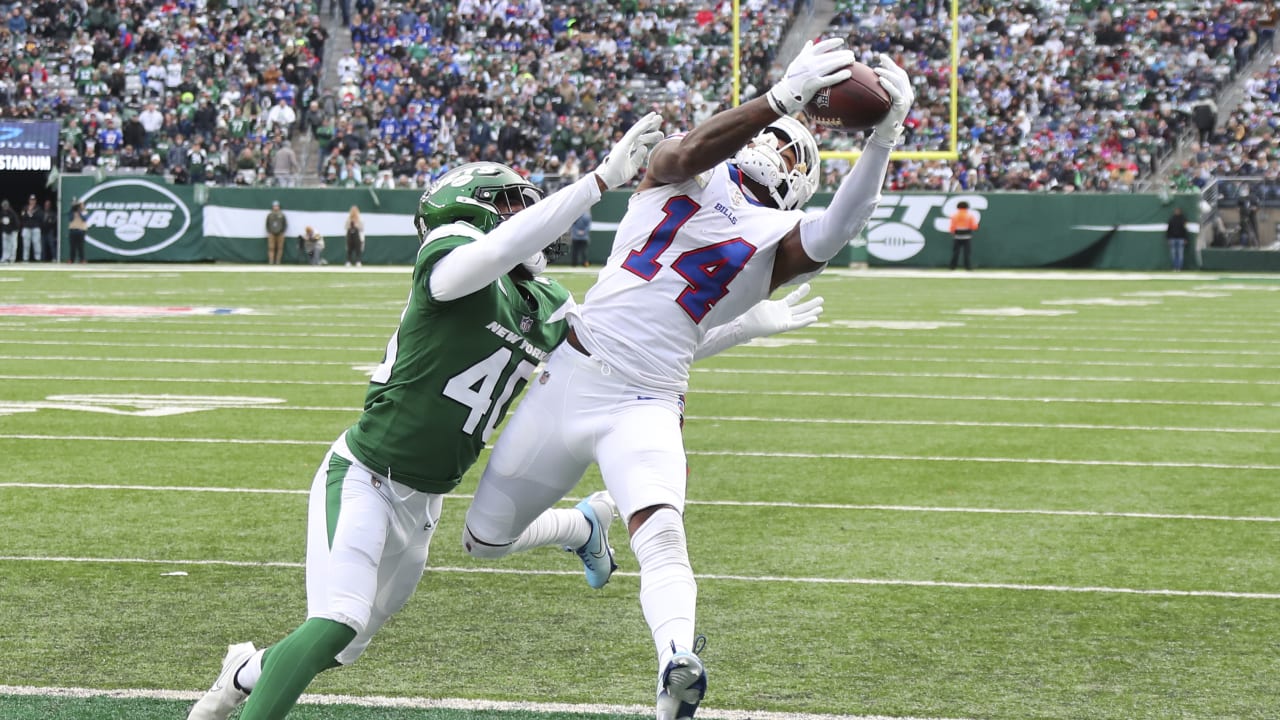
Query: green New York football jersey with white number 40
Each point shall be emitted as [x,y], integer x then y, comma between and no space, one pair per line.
[451,372]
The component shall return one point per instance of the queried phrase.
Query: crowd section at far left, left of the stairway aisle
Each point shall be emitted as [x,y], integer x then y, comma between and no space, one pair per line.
[166,86]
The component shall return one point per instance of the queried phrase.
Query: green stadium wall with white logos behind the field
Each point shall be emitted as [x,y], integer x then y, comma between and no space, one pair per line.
[139,220]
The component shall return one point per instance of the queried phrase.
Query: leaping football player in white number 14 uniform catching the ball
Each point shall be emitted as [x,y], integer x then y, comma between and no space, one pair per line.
[715,227]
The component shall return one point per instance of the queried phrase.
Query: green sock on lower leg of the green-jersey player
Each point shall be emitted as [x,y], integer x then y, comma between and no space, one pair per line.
[290,666]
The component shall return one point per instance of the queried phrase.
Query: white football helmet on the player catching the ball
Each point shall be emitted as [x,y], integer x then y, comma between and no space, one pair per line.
[762,161]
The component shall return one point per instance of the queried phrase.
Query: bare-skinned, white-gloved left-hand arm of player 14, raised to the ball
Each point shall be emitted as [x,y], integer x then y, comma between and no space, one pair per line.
[726,133]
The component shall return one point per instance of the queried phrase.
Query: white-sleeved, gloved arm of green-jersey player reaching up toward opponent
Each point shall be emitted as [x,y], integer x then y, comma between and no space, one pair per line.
[477,265]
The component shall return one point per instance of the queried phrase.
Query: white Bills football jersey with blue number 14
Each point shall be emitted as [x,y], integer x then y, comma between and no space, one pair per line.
[687,258]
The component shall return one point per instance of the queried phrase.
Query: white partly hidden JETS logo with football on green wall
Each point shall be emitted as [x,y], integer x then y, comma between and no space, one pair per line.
[895,227]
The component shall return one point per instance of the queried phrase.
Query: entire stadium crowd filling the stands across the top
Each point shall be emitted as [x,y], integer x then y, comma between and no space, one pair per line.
[1054,95]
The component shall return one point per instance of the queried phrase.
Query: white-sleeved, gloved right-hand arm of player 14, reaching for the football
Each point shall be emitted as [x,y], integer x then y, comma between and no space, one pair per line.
[820,238]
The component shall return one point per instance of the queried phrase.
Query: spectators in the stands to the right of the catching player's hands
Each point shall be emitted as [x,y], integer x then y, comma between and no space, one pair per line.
[1059,95]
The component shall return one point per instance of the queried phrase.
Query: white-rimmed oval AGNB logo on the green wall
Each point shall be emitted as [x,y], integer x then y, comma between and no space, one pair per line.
[135,217]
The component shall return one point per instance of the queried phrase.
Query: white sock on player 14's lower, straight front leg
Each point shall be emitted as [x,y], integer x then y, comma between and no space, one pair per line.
[669,594]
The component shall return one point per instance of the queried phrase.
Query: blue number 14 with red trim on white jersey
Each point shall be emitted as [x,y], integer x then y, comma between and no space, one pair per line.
[708,271]
